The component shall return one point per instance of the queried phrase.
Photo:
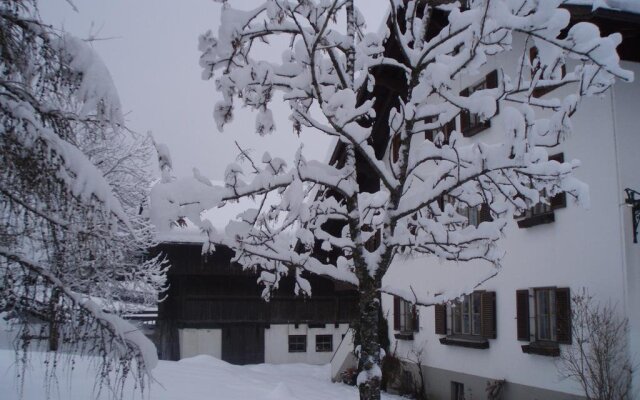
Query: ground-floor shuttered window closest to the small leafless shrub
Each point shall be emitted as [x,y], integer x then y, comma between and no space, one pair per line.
[551,310]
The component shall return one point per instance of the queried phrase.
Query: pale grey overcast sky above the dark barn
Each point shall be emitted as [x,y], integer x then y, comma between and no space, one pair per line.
[150,47]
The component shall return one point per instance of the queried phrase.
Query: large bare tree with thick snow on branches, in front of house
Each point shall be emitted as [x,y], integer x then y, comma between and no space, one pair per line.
[402,176]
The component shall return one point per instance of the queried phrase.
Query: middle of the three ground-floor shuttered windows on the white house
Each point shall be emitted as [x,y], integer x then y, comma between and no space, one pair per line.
[468,322]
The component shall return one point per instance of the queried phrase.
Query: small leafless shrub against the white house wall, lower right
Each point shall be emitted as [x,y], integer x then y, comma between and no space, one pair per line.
[598,357]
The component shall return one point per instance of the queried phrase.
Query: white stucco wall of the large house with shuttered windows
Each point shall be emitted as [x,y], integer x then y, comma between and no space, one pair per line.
[583,248]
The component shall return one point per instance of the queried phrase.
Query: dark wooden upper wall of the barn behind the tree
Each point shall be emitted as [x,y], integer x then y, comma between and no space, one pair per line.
[213,293]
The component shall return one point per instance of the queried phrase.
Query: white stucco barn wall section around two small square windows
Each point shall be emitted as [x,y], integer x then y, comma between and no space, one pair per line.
[276,347]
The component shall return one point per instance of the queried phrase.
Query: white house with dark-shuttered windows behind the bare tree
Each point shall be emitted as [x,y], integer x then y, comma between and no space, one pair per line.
[518,321]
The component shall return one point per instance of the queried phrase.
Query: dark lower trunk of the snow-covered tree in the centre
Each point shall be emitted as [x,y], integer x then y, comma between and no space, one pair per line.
[369,369]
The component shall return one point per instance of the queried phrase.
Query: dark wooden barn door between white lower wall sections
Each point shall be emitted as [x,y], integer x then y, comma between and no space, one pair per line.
[243,344]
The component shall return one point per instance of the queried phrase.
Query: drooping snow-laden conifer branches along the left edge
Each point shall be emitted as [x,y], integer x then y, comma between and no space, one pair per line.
[72,181]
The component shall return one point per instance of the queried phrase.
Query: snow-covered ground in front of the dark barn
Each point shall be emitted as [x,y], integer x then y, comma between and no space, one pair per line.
[197,378]
